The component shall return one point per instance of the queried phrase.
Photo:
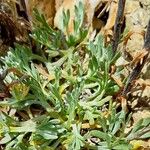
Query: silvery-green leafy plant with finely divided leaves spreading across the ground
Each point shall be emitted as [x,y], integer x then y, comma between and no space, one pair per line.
[65,100]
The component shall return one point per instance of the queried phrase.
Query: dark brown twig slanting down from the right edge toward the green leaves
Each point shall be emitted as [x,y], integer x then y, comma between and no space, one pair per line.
[138,68]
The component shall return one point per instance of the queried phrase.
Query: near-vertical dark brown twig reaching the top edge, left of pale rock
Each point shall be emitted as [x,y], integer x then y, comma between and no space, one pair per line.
[118,25]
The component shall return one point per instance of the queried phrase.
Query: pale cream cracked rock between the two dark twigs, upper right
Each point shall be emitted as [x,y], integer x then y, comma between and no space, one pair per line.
[136,20]
